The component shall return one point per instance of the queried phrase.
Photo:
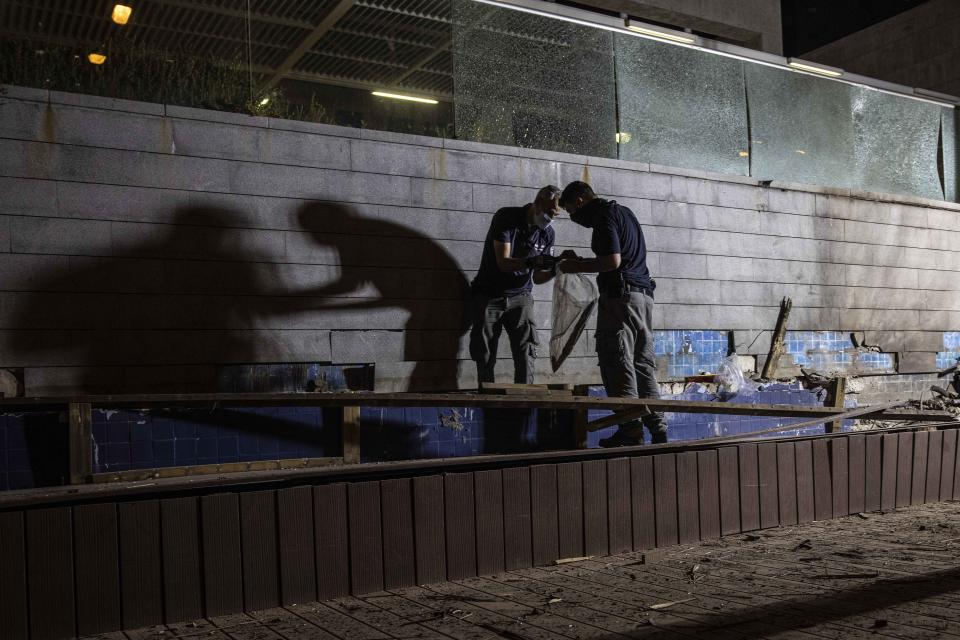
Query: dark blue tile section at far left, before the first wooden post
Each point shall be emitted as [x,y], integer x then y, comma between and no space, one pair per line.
[34,450]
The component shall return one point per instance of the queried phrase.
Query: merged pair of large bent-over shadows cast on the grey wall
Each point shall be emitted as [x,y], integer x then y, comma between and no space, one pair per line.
[163,309]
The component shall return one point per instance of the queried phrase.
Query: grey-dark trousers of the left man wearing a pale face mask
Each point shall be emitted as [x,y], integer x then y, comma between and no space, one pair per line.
[490,317]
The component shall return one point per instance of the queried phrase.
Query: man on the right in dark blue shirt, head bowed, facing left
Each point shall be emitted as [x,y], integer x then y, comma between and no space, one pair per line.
[625,313]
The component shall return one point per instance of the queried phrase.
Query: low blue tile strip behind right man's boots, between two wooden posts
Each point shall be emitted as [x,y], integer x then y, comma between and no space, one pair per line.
[694,426]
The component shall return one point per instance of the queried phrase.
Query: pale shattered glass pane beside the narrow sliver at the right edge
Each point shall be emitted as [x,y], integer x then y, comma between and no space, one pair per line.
[895,144]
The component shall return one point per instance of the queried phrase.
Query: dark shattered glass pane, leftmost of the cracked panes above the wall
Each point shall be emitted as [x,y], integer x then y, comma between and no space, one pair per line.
[531,81]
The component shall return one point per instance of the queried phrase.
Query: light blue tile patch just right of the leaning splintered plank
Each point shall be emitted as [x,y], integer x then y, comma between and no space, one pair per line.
[832,351]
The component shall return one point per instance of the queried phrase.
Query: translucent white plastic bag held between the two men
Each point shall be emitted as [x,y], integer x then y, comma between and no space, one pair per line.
[574,298]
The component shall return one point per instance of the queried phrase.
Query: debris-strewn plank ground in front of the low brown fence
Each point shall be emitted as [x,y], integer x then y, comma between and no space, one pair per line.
[891,575]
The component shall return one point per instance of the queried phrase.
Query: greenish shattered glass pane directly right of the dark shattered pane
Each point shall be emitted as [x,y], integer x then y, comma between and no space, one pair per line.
[681,107]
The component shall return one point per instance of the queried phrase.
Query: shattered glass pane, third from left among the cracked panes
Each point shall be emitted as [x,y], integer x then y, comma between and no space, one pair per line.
[800,127]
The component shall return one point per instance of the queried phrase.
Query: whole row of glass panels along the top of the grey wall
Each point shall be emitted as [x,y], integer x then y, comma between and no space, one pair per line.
[496,75]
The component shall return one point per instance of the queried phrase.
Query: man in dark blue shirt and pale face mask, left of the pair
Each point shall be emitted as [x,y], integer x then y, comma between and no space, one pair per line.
[516,254]
